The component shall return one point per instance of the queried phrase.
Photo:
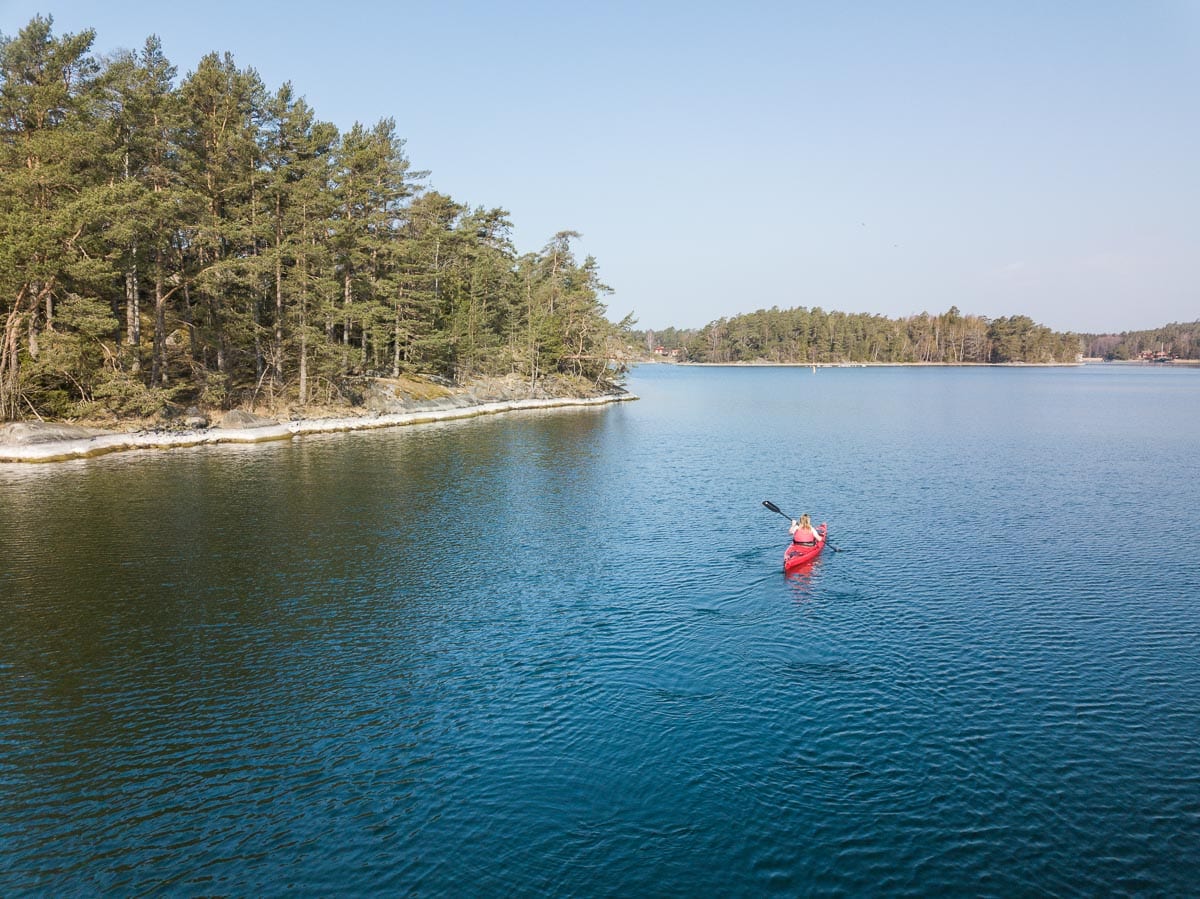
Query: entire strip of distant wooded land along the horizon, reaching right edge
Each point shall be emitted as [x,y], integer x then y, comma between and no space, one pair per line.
[803,337]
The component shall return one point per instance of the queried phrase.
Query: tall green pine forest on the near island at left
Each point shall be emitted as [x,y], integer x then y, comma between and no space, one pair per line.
[213,242]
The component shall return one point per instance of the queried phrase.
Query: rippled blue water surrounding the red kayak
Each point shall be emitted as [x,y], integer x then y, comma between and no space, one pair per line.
[555,654]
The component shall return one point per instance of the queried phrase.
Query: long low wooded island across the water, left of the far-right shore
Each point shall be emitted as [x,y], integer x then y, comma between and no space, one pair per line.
[813,335]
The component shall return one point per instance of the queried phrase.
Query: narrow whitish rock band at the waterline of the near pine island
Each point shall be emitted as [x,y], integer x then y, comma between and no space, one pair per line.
[106,442]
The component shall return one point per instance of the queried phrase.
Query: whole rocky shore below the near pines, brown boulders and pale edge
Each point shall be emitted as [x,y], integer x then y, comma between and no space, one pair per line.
[387,404]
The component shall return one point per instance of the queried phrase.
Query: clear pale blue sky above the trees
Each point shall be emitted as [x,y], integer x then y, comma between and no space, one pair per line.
[891,158]
